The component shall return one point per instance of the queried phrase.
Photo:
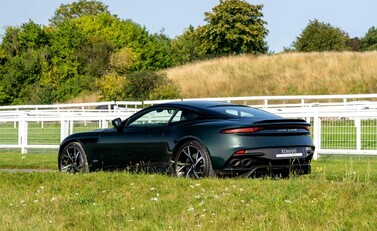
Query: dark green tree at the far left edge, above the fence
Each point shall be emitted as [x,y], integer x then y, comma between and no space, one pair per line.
[23,54]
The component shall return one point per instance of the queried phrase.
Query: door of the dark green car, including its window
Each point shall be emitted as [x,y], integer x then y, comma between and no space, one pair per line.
[140,141]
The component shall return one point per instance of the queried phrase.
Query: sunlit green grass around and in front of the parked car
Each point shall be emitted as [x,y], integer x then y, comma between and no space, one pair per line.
[340,194]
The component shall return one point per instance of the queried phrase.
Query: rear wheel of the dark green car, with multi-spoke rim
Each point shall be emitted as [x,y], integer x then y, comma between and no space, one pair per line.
[193,161]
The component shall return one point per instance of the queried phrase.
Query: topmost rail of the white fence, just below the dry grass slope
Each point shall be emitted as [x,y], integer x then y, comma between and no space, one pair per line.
[257,101]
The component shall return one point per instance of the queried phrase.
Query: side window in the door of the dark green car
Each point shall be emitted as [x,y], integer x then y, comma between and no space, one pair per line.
[157,117]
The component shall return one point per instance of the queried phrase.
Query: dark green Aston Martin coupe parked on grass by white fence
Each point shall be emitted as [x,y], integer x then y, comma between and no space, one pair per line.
[194,139]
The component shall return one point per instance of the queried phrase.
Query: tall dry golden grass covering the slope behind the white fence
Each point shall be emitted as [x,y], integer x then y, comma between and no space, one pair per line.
[279,74]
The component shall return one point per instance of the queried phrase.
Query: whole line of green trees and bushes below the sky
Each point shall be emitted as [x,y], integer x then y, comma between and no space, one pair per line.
[87,49]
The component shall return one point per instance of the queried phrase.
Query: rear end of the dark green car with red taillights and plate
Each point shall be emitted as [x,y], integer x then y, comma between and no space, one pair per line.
[276,147]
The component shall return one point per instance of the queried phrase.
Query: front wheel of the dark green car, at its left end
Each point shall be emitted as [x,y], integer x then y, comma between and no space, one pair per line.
[73,159]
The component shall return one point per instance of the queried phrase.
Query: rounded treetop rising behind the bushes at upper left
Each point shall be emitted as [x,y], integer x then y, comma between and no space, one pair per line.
[78,9]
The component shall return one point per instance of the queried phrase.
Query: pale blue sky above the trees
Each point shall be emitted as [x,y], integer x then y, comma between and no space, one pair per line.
[285,19]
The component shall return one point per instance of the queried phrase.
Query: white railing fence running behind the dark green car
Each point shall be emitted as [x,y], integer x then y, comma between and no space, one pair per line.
[343,124]
